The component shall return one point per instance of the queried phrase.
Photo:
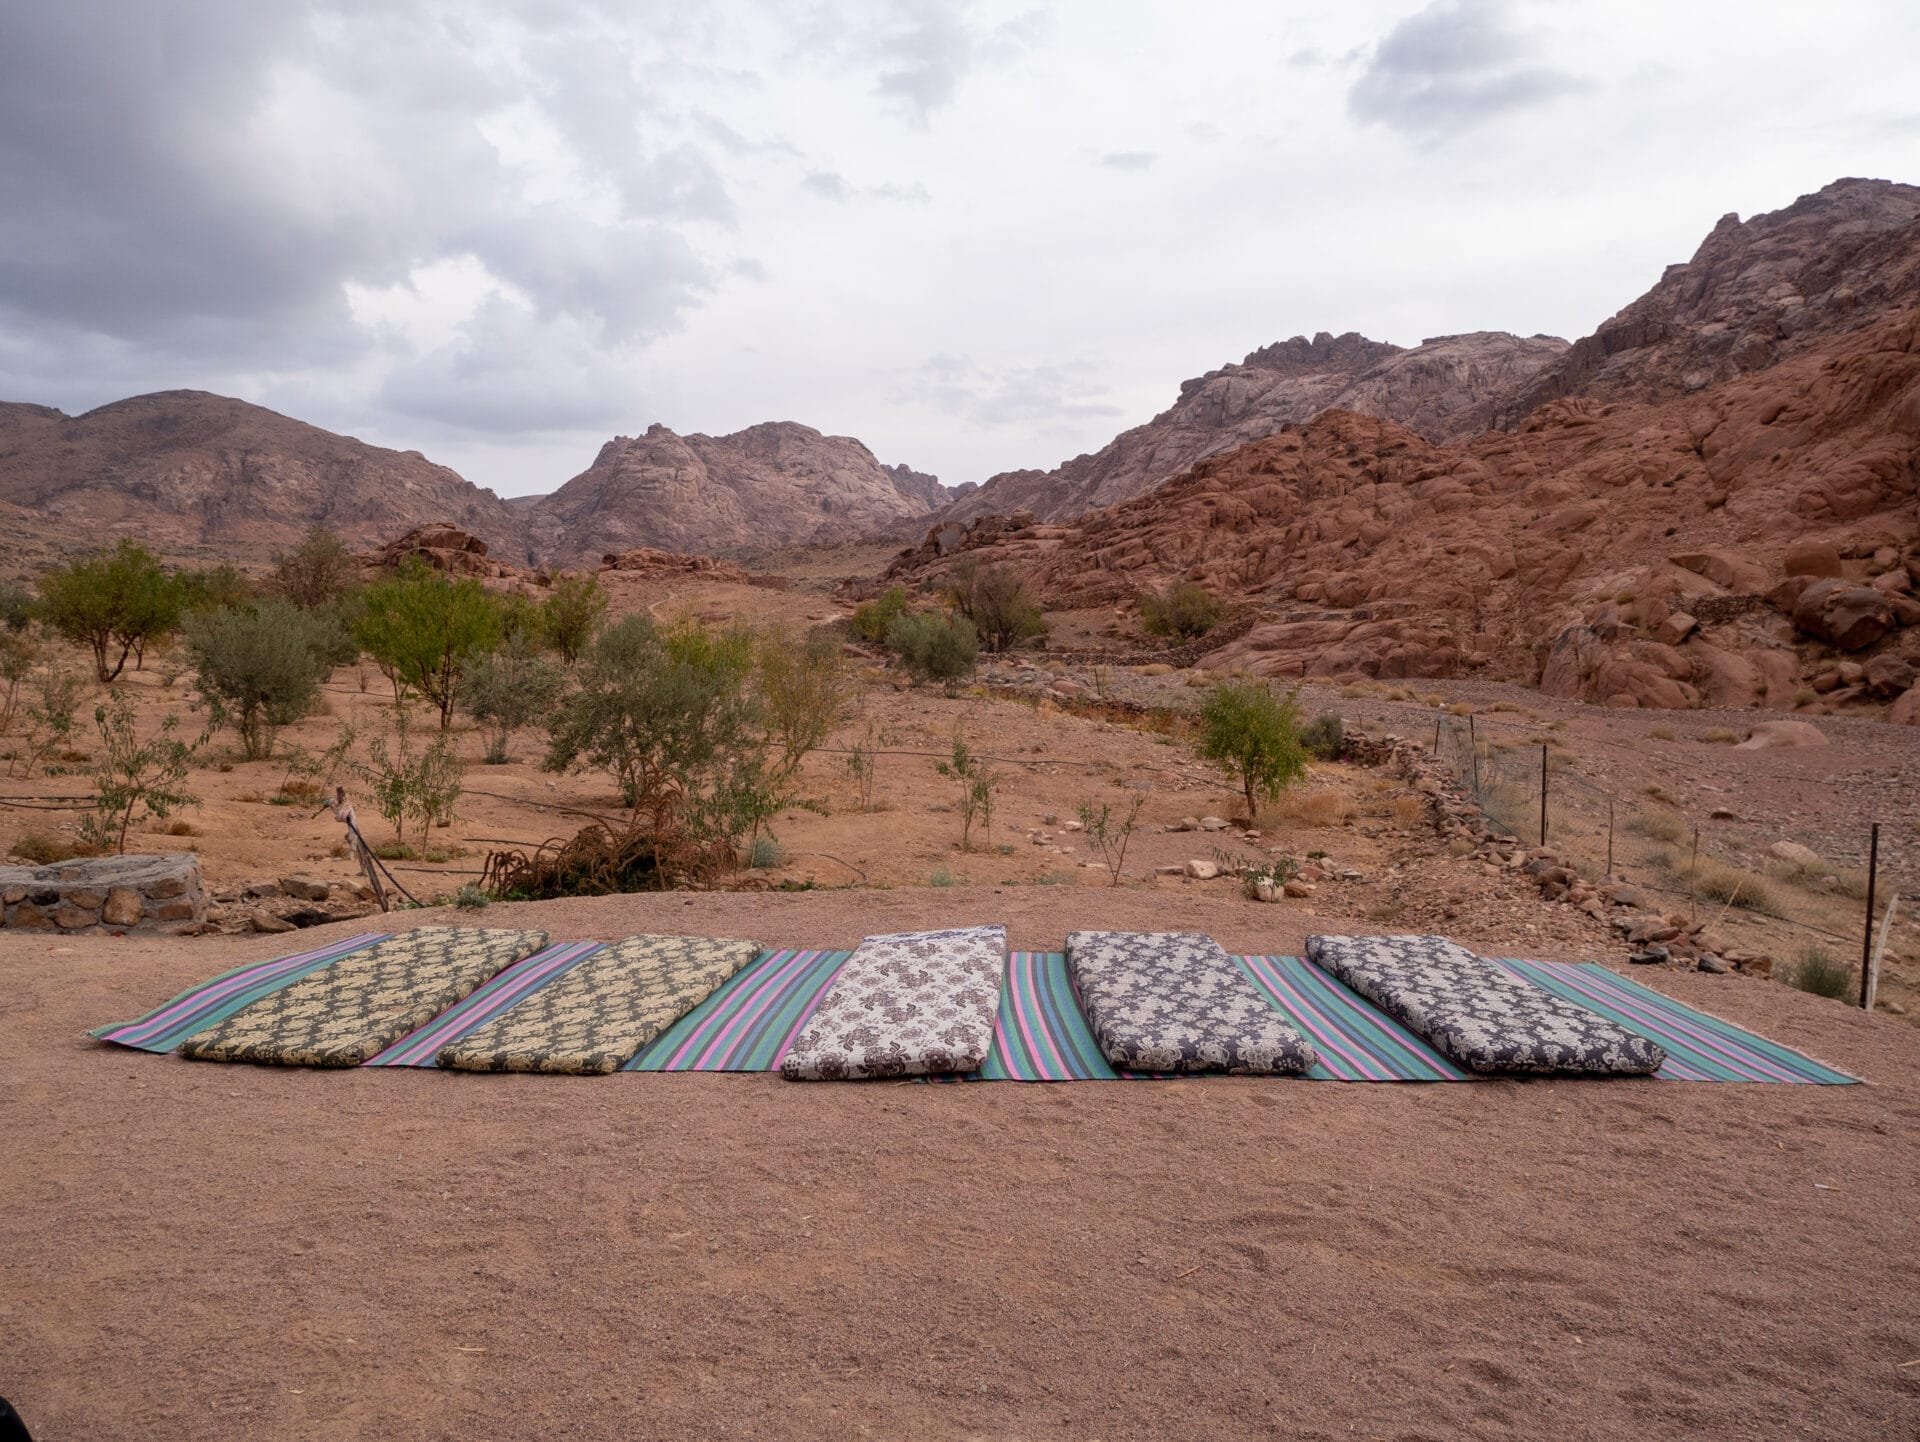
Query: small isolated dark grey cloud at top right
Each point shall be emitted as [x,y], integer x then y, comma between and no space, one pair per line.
[1454,66]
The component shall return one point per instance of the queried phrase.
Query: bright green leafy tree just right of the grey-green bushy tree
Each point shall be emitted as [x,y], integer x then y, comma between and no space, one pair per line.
[423,629]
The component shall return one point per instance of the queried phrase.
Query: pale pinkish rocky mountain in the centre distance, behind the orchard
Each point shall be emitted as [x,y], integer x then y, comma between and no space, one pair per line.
[771,485]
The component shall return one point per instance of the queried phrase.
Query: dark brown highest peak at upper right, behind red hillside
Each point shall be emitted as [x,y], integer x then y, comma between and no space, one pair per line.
[1754,295]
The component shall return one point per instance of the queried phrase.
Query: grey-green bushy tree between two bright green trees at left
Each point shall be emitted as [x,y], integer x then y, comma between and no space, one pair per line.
[260,667]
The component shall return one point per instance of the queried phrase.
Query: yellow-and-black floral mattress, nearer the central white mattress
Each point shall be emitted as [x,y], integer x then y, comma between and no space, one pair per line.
[602,1011]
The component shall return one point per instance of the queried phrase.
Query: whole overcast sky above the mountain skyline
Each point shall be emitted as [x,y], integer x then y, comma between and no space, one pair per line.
[974,235]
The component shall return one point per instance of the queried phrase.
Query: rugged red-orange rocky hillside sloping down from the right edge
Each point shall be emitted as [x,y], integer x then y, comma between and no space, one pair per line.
[1752,541]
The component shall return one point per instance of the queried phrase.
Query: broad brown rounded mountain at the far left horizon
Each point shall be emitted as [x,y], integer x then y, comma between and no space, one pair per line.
[189,469]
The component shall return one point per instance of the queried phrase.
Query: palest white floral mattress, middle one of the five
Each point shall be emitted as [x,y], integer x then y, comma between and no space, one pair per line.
[903,1007]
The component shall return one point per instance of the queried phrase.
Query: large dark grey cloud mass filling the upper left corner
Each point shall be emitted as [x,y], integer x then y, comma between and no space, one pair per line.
[162,191]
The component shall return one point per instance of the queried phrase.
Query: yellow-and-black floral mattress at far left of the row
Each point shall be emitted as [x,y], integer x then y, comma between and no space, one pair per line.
[366,1001]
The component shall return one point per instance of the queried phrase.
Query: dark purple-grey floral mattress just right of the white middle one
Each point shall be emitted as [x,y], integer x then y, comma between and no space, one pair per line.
[1178,1003]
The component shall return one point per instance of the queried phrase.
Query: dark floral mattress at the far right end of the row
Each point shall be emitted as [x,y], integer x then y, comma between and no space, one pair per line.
[1477,1013]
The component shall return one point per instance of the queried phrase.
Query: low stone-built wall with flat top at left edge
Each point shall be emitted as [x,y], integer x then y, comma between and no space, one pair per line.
[114,894]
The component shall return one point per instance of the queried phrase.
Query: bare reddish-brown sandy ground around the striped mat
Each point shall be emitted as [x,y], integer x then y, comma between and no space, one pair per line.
[249,1253]
